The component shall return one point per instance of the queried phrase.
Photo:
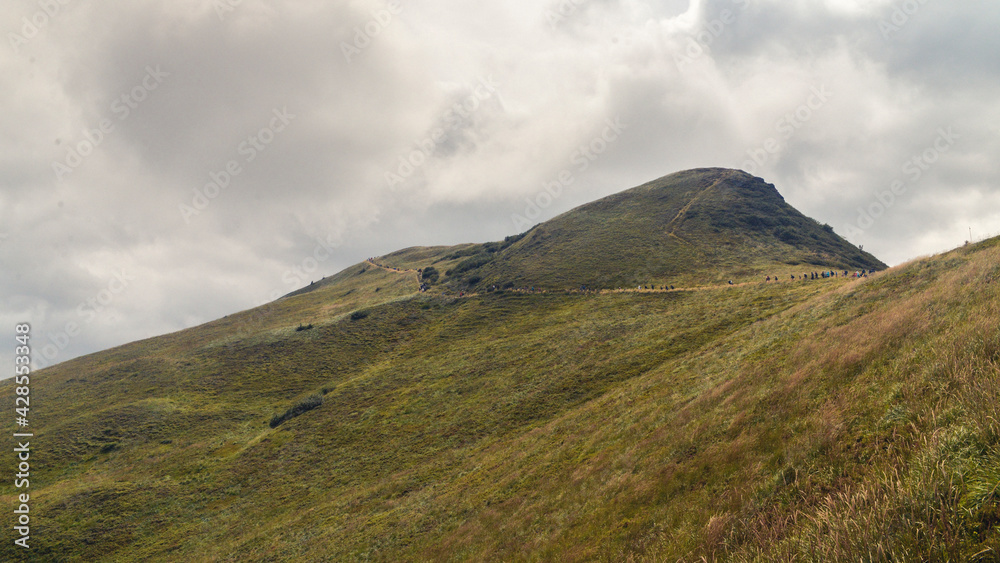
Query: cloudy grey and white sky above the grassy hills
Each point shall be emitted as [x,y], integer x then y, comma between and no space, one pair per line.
[163,164]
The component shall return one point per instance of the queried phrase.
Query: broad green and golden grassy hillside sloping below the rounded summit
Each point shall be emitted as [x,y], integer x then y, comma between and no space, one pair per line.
[837,419]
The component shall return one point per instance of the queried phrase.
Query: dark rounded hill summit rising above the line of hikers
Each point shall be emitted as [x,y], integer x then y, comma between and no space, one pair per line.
[693,227]
